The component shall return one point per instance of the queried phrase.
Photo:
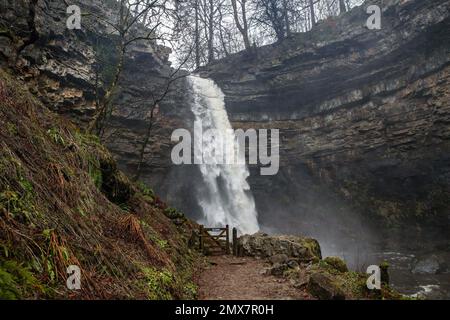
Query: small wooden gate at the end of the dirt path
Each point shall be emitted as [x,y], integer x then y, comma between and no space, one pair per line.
[214,241]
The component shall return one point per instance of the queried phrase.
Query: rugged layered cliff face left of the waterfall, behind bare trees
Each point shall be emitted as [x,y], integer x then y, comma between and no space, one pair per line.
[65,67]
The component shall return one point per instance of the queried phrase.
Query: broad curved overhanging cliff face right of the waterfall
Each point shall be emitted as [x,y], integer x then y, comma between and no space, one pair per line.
[364,117]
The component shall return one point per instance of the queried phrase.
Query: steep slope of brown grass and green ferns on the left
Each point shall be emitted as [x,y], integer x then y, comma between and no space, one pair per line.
[63,202]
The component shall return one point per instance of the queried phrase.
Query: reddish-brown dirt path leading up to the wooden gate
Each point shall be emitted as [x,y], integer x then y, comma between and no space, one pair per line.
[232,278]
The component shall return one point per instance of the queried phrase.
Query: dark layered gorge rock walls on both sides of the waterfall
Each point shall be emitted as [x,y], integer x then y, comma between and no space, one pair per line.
[363,114]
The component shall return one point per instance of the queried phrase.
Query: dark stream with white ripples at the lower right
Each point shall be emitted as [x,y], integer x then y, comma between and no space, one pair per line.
[418,267]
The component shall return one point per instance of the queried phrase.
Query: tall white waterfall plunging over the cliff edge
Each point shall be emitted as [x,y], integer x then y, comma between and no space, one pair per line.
[227,198]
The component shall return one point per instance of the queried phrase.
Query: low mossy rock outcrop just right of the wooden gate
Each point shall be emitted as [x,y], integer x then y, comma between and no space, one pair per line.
[280,248]
